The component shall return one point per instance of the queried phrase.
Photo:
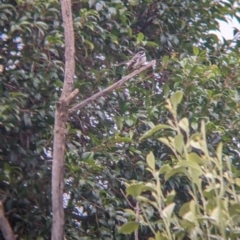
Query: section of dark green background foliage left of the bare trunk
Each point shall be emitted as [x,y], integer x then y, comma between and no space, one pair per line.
[31,71]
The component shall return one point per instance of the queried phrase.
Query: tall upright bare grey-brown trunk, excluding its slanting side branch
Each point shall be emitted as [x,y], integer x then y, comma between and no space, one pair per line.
[61,116]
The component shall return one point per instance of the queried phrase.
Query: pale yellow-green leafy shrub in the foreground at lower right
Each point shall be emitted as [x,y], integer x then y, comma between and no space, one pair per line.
[212,212]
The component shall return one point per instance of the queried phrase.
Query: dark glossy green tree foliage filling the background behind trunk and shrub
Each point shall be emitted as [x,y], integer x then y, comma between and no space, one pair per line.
[104,148]
